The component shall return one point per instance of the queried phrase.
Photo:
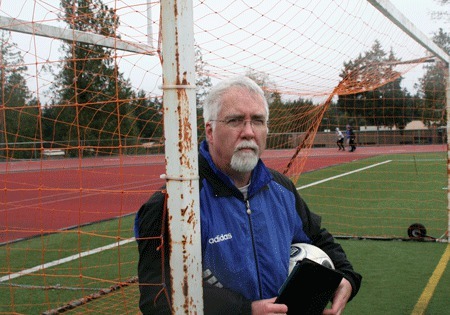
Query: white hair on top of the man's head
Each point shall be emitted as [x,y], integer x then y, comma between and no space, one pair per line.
[213,102]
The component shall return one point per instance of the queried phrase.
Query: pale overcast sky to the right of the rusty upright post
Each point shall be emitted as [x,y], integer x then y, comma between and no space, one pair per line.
[312,39]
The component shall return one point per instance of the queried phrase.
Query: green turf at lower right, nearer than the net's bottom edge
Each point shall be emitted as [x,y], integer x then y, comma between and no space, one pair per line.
[394,275]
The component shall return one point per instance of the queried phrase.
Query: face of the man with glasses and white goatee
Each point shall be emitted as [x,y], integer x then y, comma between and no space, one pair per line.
[240,132]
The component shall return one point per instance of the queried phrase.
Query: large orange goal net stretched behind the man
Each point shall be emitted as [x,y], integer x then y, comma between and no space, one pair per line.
[82,129]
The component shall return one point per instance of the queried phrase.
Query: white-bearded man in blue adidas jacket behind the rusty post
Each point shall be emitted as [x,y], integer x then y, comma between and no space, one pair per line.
[250,215]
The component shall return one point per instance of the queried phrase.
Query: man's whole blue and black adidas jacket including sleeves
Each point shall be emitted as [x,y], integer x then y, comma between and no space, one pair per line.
[245,242]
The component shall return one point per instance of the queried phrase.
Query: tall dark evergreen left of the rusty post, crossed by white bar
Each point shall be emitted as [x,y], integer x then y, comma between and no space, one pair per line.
[91,104]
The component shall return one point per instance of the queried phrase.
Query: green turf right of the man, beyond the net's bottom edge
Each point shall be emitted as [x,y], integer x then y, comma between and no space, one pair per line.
[384,200]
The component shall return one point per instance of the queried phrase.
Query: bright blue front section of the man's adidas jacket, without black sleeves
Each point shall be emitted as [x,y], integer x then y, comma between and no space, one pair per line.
[253,258]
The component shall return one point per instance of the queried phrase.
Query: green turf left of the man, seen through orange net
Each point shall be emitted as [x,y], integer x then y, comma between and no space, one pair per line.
[56,286]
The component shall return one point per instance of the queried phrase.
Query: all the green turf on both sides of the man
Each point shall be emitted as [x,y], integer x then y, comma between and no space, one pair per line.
[377,202]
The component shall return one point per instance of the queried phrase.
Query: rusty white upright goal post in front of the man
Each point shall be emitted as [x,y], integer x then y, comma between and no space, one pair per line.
[181,152]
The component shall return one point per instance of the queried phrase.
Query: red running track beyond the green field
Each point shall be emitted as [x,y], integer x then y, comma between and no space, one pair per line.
[45,196]
